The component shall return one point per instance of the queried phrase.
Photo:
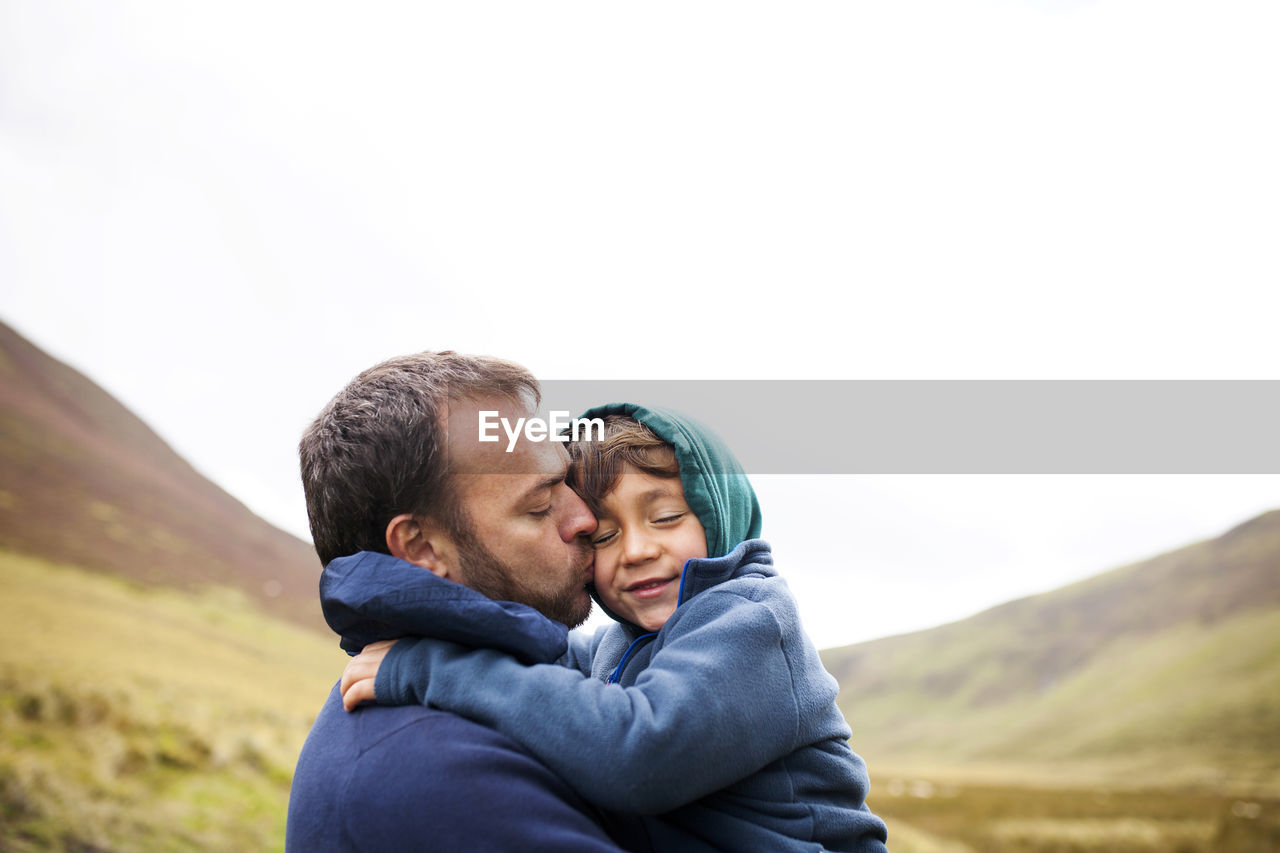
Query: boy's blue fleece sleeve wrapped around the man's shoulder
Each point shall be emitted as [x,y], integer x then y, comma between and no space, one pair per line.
[716,704]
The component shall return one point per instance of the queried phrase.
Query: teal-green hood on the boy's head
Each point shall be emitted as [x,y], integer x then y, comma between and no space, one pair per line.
[715,485]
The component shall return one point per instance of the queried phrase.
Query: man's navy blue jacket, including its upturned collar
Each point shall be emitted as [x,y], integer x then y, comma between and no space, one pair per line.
[420,779]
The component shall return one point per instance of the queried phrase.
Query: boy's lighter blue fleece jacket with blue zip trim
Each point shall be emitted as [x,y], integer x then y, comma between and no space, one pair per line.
[723,727]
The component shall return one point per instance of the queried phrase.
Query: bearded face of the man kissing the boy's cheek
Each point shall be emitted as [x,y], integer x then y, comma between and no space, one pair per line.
[524,535]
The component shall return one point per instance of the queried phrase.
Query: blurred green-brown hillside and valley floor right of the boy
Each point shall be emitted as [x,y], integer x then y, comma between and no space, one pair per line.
[1139,710]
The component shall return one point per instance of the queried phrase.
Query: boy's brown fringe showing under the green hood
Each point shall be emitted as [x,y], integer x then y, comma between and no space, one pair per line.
[600,464]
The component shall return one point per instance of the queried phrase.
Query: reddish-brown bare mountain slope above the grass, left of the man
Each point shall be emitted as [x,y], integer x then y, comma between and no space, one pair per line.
[85,482]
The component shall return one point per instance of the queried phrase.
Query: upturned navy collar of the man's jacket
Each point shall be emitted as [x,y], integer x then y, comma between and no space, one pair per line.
[369,597]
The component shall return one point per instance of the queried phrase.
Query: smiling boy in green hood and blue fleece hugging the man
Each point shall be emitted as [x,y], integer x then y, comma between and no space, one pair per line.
[715,715]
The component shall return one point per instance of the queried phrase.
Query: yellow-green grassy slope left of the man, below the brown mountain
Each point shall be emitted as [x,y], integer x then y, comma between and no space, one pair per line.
[143,719]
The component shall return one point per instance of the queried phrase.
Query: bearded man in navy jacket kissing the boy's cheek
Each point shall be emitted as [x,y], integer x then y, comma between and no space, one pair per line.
[395,466]
